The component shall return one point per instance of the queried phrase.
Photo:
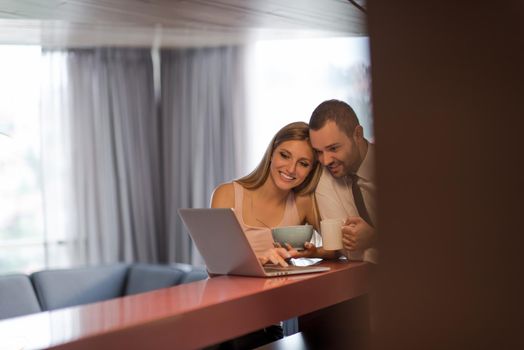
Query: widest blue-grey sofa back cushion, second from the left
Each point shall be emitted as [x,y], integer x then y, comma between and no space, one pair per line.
[76,286]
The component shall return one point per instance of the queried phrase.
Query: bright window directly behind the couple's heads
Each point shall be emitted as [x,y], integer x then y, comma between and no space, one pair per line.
[289,78]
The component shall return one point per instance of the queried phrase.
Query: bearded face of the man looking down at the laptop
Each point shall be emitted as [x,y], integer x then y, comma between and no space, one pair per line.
[336,151]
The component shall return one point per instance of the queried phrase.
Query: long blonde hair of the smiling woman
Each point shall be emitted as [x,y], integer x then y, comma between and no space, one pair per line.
[297,131]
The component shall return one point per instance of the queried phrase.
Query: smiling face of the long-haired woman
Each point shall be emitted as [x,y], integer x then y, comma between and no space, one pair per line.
[291,163]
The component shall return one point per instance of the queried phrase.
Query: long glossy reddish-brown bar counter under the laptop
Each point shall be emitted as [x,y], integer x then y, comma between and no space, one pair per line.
[193,315]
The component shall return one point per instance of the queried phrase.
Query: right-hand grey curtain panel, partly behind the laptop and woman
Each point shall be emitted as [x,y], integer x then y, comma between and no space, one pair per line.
[203,127]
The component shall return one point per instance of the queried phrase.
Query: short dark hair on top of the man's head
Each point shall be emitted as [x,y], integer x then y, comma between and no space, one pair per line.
[336,111]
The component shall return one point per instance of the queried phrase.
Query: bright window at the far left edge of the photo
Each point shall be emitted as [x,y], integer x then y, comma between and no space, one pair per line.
[21,215]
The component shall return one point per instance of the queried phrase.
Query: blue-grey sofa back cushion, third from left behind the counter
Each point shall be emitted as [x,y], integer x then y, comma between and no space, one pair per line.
[147,277]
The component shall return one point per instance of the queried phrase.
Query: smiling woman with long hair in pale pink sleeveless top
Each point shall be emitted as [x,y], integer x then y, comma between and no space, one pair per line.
[279,192]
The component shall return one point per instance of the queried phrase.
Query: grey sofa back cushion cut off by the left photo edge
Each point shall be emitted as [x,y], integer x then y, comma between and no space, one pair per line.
[17,296]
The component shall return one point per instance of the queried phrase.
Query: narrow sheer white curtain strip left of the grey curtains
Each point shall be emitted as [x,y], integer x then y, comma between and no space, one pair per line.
[56,160]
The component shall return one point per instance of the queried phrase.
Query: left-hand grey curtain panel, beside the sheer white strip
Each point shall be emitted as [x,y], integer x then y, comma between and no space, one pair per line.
[112,146]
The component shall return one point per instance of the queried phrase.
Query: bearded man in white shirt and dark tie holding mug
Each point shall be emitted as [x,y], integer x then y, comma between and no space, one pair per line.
[347,186]
